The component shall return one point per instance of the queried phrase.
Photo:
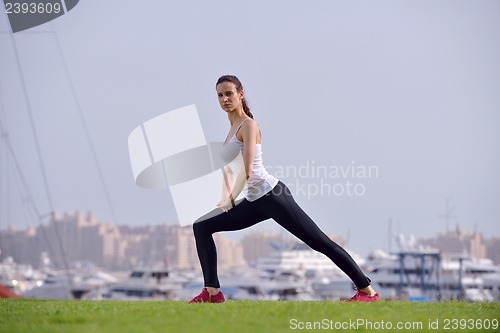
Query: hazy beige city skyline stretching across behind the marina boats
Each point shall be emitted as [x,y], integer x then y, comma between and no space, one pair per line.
[70,237]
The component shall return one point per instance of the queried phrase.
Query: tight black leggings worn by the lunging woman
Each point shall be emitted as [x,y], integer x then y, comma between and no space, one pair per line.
[280,206]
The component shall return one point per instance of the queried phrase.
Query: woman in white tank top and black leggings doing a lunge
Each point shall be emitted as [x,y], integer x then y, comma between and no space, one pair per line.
[266,197]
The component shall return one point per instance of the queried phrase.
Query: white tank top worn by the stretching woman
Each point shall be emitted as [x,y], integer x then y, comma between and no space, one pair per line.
[260,181]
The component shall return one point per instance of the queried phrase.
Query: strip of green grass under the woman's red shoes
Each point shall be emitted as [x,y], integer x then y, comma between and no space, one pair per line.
[23,315]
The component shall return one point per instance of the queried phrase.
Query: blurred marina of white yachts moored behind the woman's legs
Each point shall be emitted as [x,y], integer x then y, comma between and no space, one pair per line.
[288,273]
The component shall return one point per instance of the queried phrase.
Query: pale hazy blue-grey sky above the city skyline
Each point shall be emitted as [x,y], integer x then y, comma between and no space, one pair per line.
[409,88]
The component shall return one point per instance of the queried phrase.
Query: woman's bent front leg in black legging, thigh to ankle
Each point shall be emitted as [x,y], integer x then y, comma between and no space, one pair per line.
[240,217]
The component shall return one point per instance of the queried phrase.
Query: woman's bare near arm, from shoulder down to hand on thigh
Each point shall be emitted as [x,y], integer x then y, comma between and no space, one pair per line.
[249,132]
